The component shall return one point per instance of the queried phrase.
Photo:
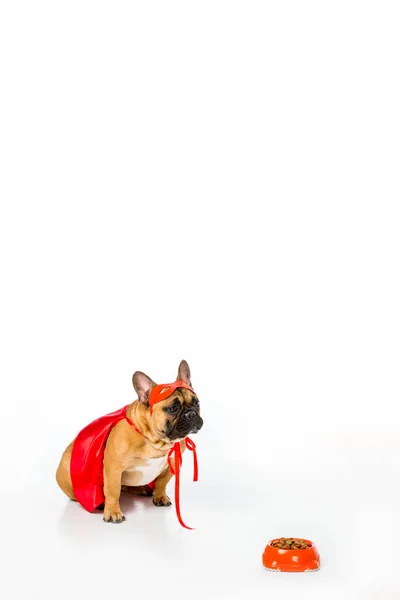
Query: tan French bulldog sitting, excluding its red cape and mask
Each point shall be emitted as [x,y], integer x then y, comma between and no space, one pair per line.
[131,460]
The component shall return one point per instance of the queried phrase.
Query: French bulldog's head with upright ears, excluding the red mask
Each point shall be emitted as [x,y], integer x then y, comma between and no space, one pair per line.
[178,415]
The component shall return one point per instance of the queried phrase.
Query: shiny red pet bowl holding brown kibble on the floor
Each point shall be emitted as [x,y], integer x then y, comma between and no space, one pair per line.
[291,561]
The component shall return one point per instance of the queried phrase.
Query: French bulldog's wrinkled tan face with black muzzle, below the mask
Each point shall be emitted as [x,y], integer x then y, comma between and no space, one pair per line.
[182,414]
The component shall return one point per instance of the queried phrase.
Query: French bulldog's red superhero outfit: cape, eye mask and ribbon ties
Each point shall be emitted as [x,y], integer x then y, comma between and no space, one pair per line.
[86,466]
